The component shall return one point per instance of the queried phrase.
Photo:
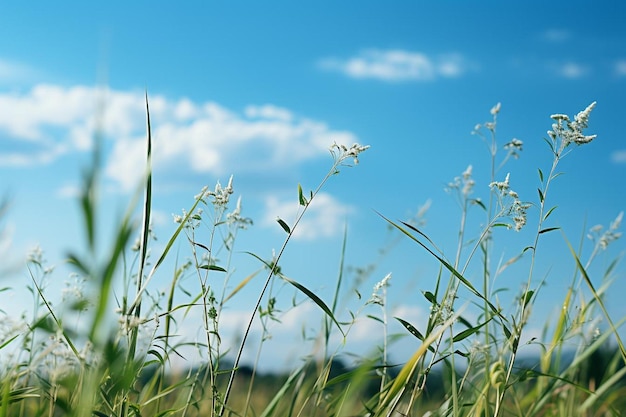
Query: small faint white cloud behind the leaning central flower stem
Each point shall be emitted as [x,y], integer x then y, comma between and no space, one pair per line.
[325,216]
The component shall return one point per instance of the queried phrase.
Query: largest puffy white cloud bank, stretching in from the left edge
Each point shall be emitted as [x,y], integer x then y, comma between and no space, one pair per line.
[201,137]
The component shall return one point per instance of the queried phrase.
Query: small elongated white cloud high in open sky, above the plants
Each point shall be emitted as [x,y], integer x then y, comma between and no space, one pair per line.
[397,65]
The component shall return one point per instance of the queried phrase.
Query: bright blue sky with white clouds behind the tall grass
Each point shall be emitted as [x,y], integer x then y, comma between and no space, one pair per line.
[261,90]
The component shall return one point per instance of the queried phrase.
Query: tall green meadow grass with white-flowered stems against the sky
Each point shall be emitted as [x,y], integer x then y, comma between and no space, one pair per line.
[469,360]
